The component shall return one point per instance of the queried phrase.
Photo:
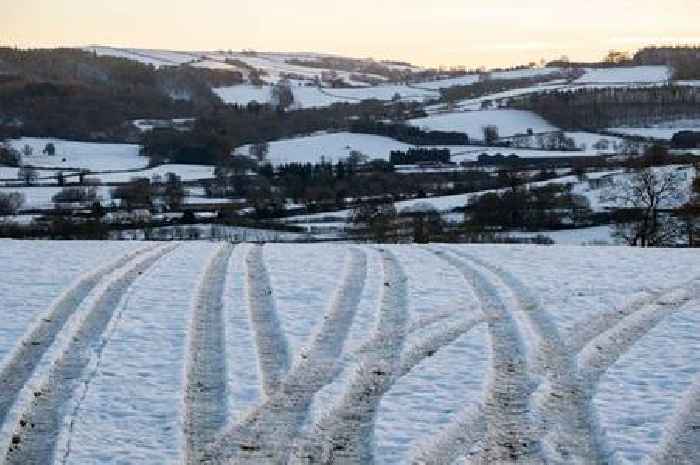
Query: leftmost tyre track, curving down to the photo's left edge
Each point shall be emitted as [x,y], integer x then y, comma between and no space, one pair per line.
[23,361]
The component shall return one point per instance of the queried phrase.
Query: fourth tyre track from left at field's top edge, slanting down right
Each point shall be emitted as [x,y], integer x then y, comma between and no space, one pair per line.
[271,344]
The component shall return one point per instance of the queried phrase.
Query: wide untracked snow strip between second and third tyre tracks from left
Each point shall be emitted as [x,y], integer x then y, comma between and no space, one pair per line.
[133,408]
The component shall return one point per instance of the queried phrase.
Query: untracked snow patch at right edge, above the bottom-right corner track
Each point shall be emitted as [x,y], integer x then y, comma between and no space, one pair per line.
[641,392]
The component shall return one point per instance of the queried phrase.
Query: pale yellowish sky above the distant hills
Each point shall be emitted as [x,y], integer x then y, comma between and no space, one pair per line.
[425,32]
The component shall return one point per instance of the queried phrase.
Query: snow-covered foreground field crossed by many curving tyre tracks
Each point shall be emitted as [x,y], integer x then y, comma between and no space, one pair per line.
[151,353]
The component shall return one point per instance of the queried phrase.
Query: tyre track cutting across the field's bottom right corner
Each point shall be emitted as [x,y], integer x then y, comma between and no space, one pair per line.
[679,445]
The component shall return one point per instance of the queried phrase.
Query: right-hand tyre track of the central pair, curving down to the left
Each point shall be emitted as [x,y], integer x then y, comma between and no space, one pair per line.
[344,434]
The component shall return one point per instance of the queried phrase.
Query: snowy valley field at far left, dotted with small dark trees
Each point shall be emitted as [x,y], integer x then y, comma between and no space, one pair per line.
[89,155]
